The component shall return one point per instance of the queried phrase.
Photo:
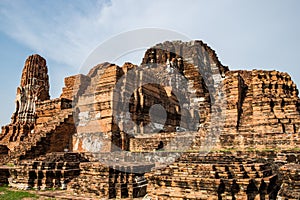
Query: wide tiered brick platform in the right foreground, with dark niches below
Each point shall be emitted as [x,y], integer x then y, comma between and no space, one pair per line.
[214,177]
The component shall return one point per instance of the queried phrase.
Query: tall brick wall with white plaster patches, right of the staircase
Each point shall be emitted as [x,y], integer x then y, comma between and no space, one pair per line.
[93,111]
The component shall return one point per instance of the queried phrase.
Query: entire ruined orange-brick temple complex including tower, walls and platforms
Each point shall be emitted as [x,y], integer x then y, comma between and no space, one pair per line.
[179,126]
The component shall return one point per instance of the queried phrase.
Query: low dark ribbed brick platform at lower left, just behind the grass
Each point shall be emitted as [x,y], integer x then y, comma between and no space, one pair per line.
[53,171]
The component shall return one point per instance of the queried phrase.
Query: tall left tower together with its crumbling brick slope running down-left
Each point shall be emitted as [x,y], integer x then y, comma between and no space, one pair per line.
[34,87]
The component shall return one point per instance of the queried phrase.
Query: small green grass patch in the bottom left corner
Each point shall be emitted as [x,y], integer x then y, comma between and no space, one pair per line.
[7,194]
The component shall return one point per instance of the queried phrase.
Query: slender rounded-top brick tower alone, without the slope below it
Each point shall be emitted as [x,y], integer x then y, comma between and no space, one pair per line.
[34,87]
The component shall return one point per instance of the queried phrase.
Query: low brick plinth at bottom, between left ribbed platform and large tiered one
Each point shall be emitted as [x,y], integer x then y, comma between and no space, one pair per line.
[115,181]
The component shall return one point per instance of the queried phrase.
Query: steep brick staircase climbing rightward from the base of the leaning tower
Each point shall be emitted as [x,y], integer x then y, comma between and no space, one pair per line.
[40,134]
